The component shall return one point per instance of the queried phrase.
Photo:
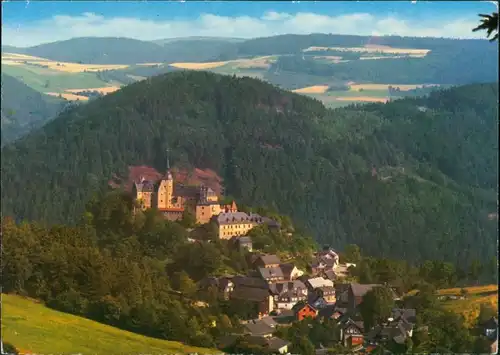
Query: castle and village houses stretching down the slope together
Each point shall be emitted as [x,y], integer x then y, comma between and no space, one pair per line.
[280,292]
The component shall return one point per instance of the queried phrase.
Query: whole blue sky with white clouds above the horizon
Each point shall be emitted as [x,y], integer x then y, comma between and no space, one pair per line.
[29,23]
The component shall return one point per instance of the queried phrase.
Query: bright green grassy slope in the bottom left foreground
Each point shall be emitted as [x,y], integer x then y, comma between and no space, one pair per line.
[32,327]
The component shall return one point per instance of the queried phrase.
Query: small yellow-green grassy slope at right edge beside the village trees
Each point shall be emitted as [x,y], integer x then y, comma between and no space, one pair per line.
[469,308]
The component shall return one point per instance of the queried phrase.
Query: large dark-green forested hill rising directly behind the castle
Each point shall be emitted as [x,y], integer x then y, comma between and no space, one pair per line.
[413,179]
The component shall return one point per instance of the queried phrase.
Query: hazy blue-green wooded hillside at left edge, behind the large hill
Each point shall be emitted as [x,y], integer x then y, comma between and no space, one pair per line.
[24,109]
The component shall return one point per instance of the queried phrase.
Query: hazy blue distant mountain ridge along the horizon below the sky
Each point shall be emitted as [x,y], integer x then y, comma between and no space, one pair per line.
[113,50]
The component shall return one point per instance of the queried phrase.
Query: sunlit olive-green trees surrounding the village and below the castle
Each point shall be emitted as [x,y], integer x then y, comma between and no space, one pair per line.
[140,273]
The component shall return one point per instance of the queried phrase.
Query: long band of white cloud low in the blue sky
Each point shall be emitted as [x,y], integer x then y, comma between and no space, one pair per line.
[61,27]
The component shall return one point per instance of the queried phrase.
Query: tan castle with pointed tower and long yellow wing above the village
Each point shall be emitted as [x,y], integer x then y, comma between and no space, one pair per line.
[173,199]
